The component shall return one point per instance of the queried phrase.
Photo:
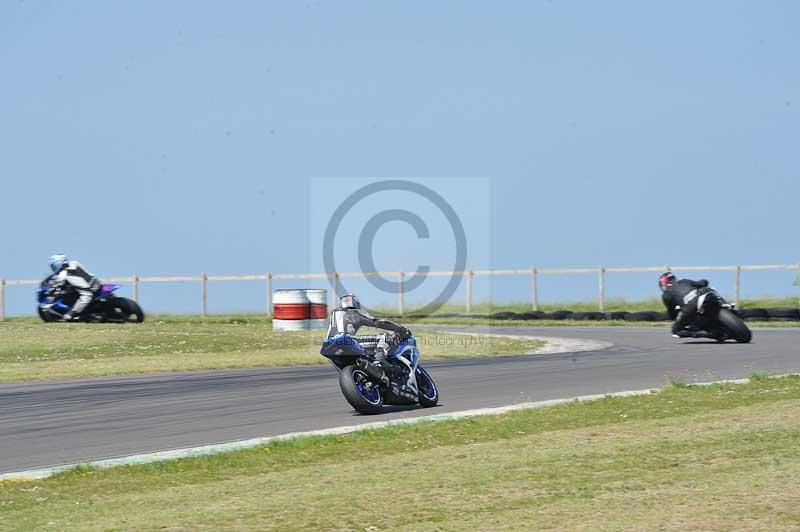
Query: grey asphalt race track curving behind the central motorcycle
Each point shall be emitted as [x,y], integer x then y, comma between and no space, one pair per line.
[52,423]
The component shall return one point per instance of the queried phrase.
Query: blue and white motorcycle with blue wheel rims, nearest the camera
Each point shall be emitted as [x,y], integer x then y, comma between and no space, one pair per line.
[368,384]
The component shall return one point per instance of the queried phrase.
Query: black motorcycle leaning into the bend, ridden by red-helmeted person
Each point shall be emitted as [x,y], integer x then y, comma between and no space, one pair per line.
[716,318]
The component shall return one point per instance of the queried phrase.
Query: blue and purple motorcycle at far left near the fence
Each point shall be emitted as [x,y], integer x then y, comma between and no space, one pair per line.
[54,302]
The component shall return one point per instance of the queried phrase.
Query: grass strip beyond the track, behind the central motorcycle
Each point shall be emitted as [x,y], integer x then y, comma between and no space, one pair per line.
[31,350]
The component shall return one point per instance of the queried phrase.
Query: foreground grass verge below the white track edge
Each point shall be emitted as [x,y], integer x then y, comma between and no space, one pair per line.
[722,457]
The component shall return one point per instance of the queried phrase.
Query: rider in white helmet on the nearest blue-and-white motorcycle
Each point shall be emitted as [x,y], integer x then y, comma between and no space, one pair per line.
[348,317]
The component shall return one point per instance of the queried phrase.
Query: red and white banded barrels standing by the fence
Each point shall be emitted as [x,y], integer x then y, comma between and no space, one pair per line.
[299,309]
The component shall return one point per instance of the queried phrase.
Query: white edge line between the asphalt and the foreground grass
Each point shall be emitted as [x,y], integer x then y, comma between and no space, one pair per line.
[204,450]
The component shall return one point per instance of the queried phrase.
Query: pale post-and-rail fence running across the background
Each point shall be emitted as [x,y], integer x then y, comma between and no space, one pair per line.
[535,276]
